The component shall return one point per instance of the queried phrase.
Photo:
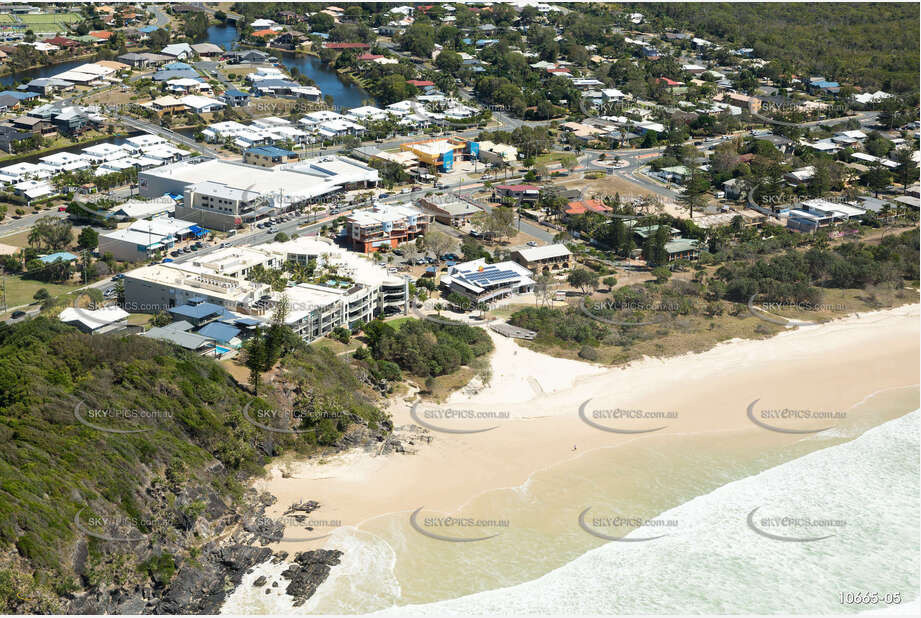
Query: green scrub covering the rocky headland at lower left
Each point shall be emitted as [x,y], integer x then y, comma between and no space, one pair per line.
[190,439]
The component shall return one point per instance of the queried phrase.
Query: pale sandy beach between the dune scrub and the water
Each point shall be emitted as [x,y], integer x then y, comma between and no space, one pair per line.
[531,414]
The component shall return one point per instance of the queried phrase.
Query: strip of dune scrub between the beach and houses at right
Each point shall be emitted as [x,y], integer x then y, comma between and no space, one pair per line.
[680,311]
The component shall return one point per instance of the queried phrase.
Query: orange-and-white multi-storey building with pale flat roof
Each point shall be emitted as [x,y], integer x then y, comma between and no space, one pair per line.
[385,225]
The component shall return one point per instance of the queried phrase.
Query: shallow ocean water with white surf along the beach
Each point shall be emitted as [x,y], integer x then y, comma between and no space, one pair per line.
[862,479]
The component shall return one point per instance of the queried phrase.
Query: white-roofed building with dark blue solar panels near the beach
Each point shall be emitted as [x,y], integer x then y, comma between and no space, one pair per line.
[482,282]
